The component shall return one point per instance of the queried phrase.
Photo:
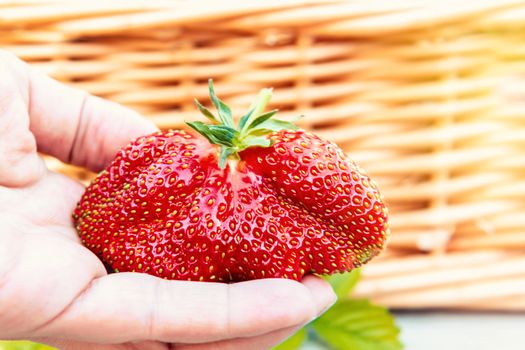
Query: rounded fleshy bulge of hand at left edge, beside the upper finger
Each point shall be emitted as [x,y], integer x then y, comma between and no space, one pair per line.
[19,163]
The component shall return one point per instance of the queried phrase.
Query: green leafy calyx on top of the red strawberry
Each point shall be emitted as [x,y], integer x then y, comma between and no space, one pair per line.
[252,130]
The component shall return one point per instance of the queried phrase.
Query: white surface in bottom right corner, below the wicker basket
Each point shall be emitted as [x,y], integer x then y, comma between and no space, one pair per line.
[462,331]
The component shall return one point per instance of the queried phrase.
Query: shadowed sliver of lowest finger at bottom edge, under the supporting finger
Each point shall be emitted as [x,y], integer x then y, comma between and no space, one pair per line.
[261,342]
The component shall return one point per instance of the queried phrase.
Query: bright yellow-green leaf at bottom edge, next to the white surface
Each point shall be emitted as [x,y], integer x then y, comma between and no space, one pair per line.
[358,325]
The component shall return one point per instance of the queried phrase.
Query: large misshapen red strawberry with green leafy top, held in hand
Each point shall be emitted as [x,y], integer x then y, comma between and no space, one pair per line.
[230,203]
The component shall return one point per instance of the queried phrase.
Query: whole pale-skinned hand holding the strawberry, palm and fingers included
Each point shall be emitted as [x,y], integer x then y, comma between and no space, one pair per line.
[54,290]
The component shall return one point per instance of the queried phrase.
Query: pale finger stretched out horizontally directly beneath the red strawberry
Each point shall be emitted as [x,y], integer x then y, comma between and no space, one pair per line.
[127,307]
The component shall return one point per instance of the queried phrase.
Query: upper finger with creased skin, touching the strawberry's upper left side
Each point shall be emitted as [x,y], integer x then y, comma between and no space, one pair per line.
[74,126]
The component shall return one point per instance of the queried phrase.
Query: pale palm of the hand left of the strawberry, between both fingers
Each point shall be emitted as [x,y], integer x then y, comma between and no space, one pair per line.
[41,257]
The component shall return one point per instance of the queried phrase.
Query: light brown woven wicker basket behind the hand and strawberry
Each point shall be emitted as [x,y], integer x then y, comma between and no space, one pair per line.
[428,96]
